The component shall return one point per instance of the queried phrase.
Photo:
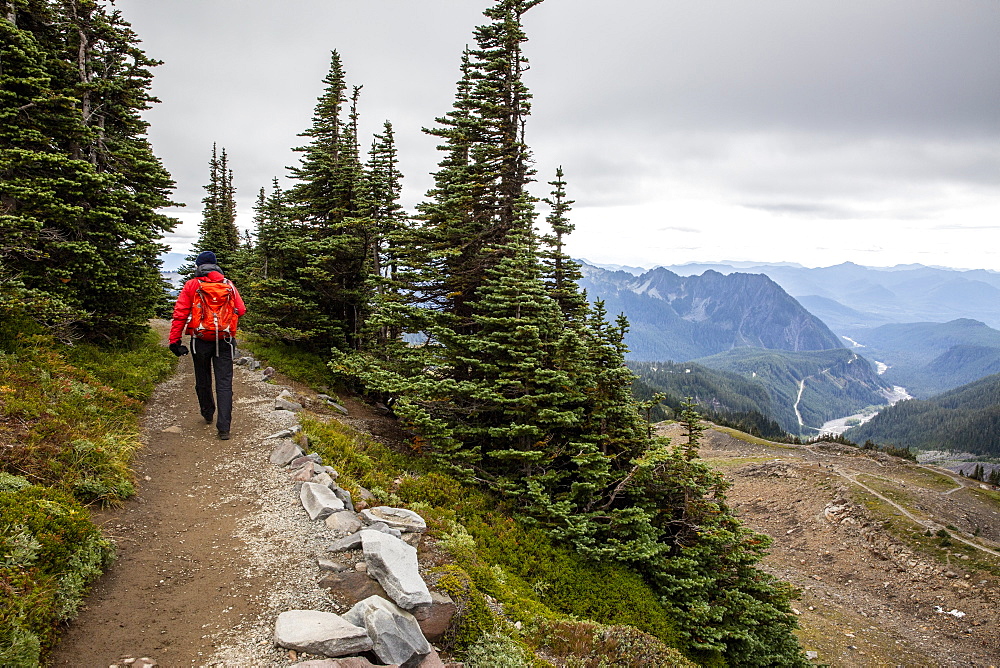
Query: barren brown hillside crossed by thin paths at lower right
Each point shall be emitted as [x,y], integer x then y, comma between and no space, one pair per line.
[898,563]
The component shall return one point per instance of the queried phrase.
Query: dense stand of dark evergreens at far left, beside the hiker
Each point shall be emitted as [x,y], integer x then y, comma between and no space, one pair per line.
[79,184]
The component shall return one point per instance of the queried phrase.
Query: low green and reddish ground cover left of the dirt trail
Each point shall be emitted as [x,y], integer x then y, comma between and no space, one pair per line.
[69,427]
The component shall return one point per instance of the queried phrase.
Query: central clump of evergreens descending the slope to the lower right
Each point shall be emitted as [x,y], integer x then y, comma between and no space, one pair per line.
[518,384]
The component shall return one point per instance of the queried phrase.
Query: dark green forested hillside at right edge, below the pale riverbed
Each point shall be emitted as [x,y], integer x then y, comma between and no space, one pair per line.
[966,419]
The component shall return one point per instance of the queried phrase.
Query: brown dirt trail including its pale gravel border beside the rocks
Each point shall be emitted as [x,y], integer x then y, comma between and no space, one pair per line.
[212,547]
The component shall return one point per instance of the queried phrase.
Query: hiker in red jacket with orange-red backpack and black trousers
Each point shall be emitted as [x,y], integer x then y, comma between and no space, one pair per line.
[208,308]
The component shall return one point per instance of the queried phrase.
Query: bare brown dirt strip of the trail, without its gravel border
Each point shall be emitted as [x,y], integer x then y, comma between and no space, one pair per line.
[181,568]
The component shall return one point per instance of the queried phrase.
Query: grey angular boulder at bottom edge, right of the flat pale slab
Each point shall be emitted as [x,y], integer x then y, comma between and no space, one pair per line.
[395,634]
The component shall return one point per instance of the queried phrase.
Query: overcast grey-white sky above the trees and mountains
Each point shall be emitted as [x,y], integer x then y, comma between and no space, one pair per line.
[769,130]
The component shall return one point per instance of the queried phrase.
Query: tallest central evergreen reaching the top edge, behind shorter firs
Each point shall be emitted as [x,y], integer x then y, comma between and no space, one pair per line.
[479,196]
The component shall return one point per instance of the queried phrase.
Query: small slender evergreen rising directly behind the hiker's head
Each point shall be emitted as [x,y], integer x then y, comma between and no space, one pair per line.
[218,232]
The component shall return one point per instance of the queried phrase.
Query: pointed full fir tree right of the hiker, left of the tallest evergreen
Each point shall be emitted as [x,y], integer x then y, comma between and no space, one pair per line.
[316,249]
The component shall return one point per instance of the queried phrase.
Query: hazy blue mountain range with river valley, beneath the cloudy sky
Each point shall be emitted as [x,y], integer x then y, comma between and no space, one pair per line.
[739,325]
